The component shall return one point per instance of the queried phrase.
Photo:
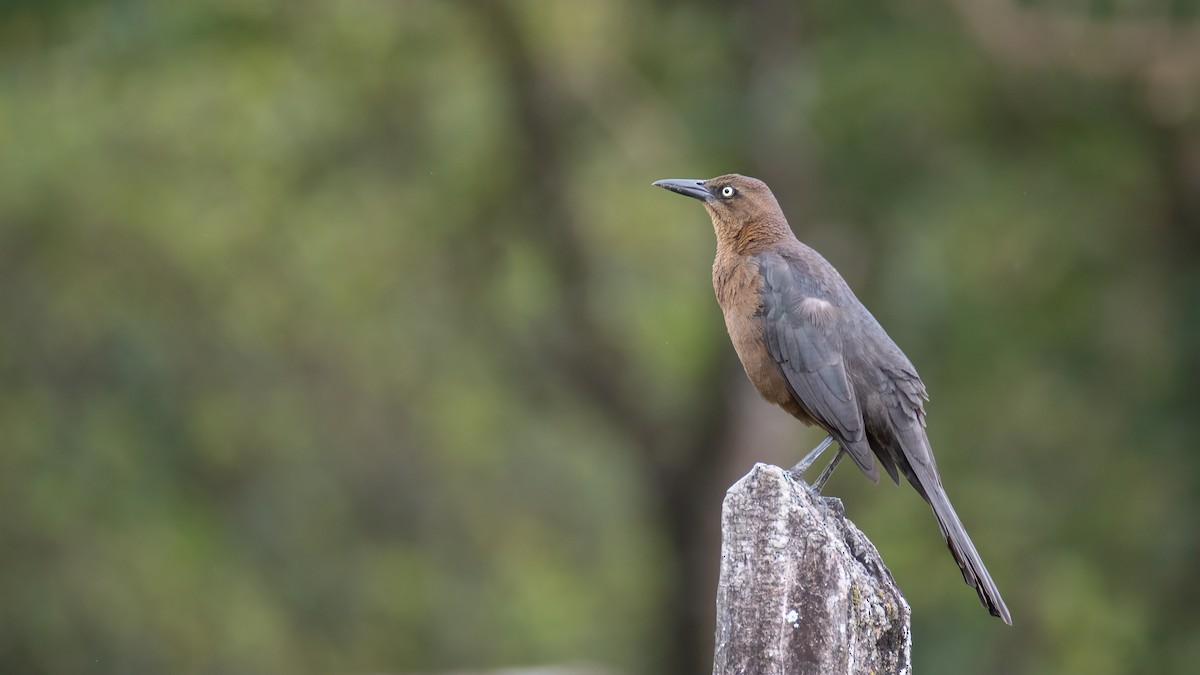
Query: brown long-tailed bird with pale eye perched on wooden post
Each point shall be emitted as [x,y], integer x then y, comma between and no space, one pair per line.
[812,348]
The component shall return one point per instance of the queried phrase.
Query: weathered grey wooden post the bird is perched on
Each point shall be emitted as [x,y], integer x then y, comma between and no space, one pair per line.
[802,590]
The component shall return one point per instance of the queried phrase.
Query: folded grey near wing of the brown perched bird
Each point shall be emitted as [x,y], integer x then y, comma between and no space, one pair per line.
[803,336]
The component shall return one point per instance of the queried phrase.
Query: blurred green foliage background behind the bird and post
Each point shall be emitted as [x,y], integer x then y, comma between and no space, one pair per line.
[351,337]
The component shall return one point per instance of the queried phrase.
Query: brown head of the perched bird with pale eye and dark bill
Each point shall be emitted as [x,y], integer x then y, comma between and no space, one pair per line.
[742,208]
